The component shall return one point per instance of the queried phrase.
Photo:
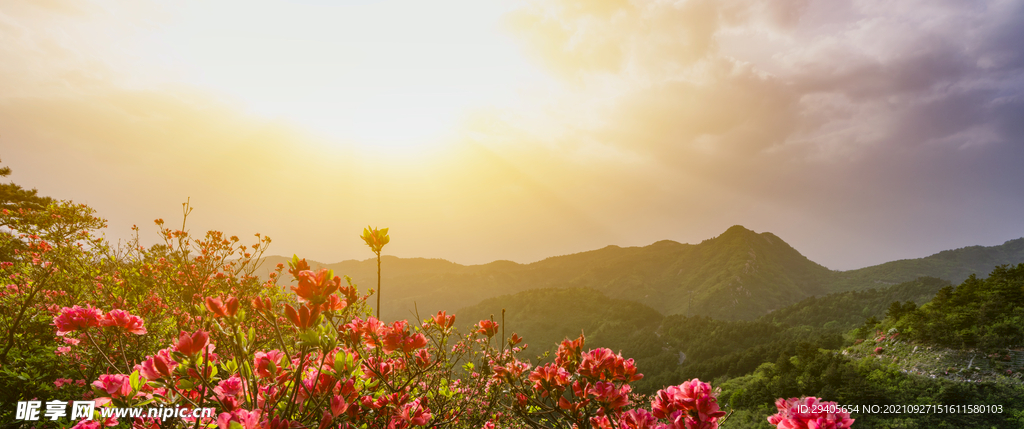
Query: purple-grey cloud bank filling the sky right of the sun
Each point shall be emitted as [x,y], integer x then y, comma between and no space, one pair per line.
[866,115]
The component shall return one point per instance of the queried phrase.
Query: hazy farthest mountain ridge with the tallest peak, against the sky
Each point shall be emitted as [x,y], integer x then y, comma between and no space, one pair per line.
[740,275]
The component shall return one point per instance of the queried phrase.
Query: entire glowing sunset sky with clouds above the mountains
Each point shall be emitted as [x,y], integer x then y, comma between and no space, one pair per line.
[858,132]
